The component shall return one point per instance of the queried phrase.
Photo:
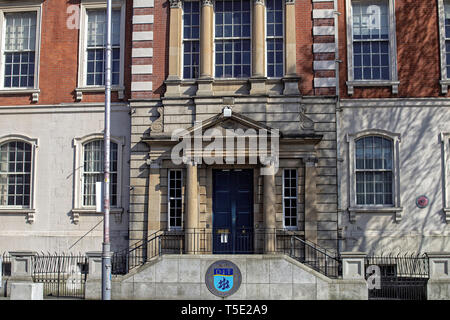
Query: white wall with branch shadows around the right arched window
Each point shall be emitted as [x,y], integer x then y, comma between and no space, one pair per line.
[420,172]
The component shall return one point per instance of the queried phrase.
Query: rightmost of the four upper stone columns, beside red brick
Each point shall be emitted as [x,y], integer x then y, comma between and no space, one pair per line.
[291,78]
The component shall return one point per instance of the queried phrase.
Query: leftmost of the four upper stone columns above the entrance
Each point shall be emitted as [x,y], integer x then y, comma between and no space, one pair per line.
[174,78]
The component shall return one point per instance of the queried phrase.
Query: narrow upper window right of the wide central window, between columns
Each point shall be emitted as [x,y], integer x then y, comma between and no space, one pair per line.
[274,26]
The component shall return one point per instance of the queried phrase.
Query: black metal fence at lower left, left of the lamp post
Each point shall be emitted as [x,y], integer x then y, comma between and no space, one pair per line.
[63,275]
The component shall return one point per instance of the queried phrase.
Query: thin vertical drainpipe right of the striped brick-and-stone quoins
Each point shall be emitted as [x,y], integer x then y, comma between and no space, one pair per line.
[338,123]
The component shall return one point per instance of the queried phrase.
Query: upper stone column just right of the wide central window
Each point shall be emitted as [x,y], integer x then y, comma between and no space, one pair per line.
[257,80]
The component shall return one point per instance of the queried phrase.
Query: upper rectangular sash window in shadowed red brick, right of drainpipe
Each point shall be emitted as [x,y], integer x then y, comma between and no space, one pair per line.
[371,59]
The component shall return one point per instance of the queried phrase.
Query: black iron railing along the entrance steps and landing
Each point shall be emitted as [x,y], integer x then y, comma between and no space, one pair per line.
[217,241]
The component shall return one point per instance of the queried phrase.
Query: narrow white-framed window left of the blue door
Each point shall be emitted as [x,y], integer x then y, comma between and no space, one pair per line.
[175,199]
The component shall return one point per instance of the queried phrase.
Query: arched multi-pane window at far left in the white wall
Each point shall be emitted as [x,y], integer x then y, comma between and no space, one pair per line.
[15,174]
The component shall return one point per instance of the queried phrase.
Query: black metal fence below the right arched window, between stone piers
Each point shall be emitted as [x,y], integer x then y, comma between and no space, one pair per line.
[402,276]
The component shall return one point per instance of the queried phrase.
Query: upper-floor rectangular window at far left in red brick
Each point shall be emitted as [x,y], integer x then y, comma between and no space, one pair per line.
[19,49]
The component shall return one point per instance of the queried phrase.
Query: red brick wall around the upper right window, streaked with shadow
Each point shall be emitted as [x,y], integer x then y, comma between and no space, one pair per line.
[418,56]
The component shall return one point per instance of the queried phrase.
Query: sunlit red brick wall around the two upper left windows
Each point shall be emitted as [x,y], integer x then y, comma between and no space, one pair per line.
[58,71]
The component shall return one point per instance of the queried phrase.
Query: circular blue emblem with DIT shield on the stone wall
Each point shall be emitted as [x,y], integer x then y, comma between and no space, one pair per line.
[223,278]
